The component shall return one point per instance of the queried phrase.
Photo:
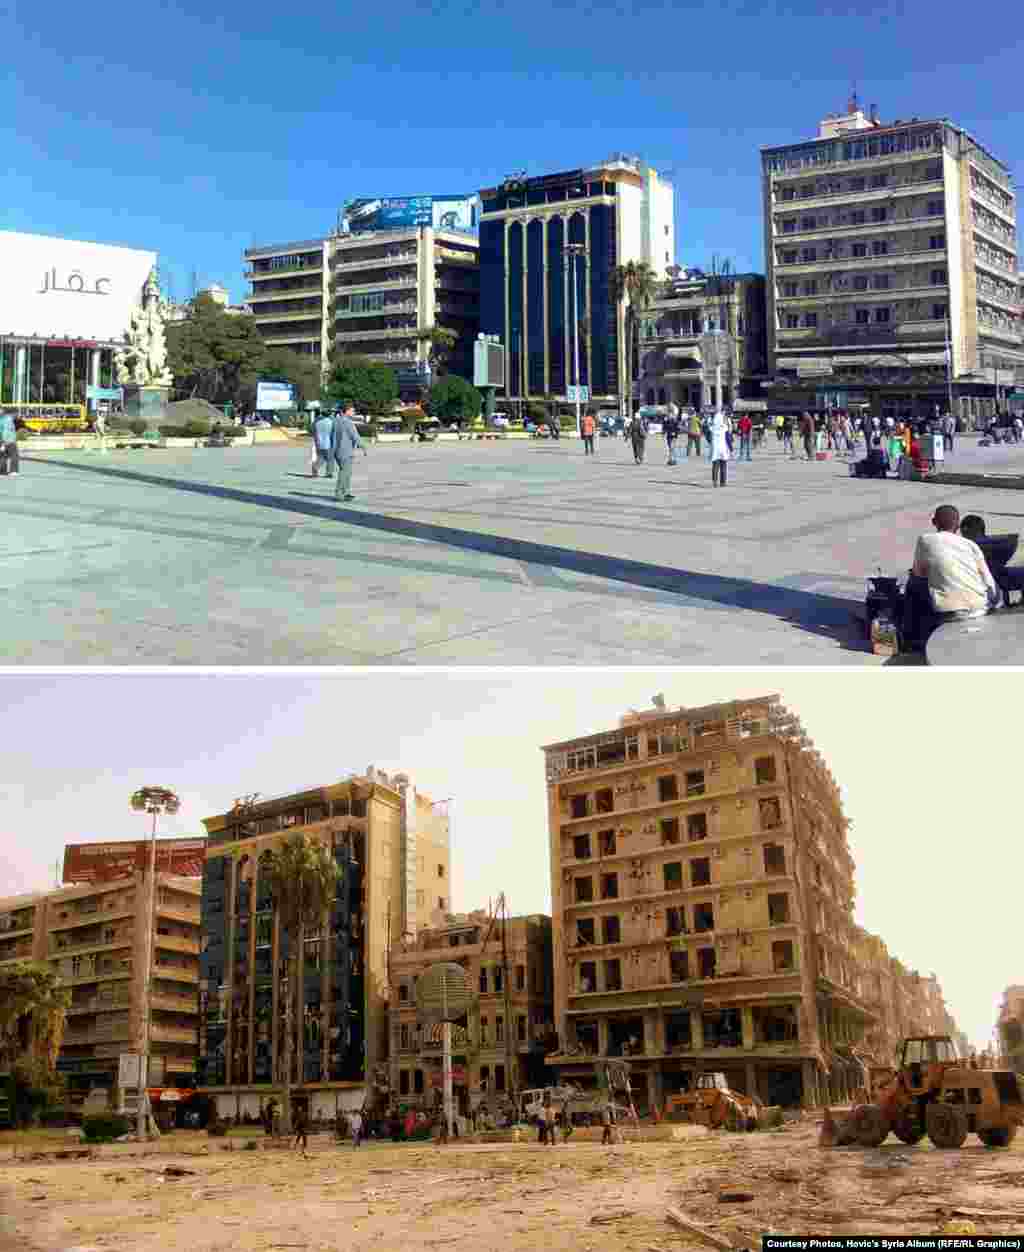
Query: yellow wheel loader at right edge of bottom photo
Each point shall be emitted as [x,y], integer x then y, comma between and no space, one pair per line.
[937,1094]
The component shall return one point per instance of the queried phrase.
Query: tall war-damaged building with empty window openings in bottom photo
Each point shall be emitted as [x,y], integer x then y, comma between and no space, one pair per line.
[703,895]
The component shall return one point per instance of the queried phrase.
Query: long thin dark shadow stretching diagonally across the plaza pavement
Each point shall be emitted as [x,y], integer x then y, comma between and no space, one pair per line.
[813,612]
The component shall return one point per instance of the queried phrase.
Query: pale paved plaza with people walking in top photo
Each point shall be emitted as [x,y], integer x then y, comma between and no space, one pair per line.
[458,554]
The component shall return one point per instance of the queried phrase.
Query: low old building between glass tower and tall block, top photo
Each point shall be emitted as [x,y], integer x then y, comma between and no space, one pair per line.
[687,306]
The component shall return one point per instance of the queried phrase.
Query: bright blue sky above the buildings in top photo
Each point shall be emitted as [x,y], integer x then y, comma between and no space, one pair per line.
[198,132]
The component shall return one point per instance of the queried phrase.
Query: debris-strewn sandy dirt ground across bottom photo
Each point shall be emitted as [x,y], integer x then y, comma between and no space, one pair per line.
[509,1198]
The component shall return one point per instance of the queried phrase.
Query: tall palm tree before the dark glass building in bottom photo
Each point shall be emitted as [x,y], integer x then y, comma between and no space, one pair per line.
[304,881]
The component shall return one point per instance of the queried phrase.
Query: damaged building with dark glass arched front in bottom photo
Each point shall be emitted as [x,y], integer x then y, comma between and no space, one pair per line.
[391,847]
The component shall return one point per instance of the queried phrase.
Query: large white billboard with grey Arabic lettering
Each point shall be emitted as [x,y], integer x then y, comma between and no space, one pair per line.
[67,290]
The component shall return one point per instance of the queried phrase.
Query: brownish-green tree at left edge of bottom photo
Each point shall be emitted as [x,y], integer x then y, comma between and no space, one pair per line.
[33,1008]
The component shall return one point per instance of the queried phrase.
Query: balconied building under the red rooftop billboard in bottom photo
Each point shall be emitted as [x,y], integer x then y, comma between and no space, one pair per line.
[96,937]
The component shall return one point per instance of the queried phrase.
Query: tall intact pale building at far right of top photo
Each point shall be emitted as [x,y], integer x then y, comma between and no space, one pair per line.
[882,241]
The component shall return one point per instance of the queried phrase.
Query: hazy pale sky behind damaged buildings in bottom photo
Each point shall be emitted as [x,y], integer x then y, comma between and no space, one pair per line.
[928,764]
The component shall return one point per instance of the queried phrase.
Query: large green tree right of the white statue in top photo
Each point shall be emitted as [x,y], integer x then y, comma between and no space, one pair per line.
[215,355]
